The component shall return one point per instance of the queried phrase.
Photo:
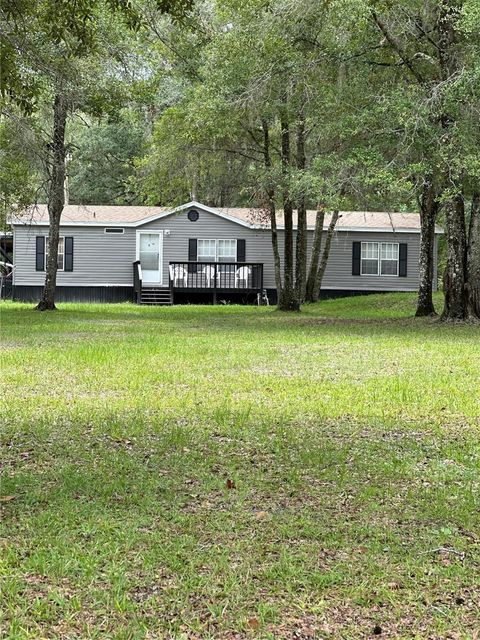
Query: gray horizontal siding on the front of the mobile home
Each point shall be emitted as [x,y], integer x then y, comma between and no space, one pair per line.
[106,259]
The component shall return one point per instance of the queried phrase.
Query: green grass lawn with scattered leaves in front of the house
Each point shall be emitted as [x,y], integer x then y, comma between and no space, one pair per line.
[233,472]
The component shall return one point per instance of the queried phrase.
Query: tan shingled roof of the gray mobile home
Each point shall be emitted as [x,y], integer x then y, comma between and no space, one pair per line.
[97,215]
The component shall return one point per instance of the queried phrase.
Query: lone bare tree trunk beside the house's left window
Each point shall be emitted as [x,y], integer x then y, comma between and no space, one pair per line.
[55,201]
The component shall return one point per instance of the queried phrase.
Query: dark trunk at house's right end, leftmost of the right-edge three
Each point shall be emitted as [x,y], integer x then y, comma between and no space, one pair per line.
[428,216]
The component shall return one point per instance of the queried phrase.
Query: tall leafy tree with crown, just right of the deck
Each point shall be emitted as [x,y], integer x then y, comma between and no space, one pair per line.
[266,75]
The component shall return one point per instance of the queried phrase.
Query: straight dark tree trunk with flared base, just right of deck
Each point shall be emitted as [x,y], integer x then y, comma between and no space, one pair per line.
[288,300]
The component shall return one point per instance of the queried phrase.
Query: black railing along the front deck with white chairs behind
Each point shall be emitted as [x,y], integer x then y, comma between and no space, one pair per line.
[216,275]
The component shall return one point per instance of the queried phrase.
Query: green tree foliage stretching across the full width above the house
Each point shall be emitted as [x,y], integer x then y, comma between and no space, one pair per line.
[199,87]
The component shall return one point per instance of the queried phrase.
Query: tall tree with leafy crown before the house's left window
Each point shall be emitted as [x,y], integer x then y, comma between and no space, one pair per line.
[53,52]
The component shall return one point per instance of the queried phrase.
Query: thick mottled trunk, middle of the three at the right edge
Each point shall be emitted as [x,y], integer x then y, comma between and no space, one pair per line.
[454,279]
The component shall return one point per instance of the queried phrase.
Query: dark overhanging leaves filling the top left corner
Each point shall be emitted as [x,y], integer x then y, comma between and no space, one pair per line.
[44,36]
